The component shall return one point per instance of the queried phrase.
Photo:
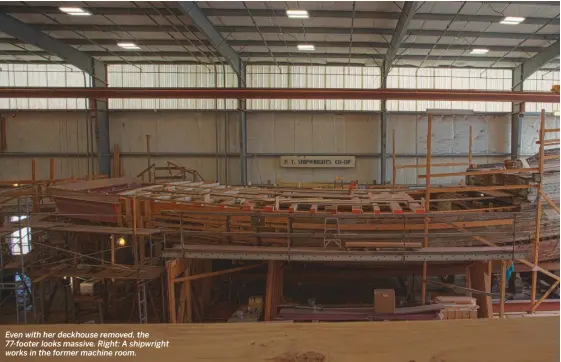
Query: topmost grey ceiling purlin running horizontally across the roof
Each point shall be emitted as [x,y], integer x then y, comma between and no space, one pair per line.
[269,13]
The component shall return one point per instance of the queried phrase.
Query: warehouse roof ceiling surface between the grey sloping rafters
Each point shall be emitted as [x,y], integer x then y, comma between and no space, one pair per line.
[440,34]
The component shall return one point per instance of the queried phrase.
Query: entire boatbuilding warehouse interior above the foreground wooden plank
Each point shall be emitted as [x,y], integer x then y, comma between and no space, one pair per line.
[229,161]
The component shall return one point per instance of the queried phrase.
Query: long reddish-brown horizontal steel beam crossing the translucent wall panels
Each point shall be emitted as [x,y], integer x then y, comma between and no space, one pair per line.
[279,93]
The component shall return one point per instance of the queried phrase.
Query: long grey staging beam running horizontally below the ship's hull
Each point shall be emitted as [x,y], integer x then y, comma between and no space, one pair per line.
[191,251]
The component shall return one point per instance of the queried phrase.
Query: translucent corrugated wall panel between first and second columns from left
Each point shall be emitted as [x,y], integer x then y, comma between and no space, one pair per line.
[171,76]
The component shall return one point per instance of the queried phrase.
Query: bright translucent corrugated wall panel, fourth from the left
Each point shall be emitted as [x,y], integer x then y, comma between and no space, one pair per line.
[435,78]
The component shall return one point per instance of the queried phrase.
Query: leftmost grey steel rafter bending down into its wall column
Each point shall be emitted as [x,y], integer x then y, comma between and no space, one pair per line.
[96,69]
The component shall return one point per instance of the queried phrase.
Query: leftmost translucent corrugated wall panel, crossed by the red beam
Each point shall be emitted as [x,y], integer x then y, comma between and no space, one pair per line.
[42,75]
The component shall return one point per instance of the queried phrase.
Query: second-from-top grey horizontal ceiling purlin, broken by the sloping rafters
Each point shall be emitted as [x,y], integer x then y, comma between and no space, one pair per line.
[292,30]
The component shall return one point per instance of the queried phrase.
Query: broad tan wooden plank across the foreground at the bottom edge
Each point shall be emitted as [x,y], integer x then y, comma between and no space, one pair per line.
[512,340]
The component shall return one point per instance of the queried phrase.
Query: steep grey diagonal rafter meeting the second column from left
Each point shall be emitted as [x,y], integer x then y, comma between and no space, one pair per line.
[191,9]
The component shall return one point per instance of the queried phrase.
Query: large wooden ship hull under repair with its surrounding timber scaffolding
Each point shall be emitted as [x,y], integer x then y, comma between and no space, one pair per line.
[174,230]
